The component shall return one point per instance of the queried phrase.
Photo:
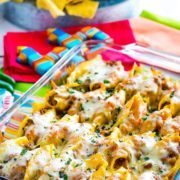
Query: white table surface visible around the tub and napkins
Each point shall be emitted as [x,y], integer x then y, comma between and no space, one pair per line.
[167,8]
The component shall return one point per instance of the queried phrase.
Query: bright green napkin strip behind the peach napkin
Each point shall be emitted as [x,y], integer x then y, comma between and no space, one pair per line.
[163,20]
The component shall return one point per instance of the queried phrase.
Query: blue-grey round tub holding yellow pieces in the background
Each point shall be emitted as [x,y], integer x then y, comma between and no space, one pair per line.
[29,17]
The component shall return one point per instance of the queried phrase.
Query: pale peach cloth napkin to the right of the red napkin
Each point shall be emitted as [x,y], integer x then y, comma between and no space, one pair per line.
[156,35]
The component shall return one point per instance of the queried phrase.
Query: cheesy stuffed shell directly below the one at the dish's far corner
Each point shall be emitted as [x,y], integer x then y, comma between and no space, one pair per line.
[98,106]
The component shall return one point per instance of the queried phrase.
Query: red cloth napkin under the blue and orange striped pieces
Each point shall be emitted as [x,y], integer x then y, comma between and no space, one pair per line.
[120,31]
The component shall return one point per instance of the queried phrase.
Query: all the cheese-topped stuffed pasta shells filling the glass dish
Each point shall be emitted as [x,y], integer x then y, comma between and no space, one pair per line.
[102,122]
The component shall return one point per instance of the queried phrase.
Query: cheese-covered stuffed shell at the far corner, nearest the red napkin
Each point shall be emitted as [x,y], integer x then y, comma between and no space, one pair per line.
[96,73]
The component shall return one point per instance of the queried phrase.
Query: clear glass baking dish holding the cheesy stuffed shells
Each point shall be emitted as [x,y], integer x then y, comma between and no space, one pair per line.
[128,55]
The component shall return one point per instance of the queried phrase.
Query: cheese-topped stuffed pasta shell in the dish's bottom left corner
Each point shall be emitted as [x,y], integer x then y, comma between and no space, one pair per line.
[14,157]
